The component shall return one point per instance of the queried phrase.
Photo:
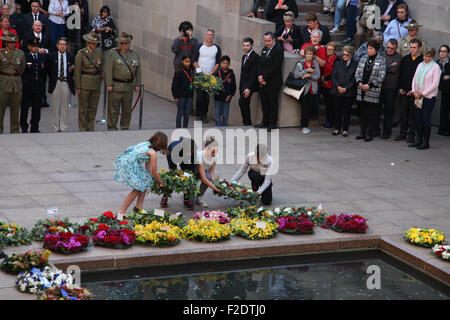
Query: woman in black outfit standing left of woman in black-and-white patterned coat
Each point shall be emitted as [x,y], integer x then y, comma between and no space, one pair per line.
[343,90]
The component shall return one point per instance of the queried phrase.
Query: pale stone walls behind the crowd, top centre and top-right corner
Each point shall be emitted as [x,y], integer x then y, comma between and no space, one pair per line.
[154,25]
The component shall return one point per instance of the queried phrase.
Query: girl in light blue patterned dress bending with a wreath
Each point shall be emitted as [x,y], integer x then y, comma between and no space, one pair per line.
[128,169]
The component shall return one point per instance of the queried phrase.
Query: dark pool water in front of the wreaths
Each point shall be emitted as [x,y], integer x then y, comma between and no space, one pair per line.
[344,280]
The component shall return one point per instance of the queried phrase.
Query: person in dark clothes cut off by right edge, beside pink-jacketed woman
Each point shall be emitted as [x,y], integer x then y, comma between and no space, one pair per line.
[444,87]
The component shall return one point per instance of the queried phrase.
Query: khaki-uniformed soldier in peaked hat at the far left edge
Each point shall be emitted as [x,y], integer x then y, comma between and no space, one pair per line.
[12,65]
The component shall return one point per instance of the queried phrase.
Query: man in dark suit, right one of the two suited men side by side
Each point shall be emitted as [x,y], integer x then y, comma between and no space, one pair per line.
[270,80]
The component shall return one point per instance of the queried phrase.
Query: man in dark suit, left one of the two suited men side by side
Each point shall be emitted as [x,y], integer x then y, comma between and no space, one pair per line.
[249,79]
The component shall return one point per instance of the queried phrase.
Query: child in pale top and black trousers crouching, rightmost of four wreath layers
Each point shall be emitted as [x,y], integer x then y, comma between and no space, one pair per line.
[260,163]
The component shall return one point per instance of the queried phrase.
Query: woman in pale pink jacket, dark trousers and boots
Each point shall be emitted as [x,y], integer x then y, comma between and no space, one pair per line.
[425,88]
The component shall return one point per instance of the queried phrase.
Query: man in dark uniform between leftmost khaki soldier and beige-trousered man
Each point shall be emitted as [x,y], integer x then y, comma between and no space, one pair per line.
[33,86]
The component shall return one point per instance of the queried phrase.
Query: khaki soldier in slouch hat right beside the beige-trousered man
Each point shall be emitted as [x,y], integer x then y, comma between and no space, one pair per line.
[88,77]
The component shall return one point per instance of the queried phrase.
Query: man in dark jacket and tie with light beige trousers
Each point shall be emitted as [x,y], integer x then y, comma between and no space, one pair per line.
[60,69]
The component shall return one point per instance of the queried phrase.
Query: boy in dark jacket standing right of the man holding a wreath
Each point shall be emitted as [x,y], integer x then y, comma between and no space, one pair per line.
[222,100]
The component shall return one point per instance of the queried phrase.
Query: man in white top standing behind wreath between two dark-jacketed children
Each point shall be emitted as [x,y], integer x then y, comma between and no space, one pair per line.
[206,60]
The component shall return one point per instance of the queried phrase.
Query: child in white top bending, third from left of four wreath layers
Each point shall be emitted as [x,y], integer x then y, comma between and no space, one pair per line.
[206,161]
